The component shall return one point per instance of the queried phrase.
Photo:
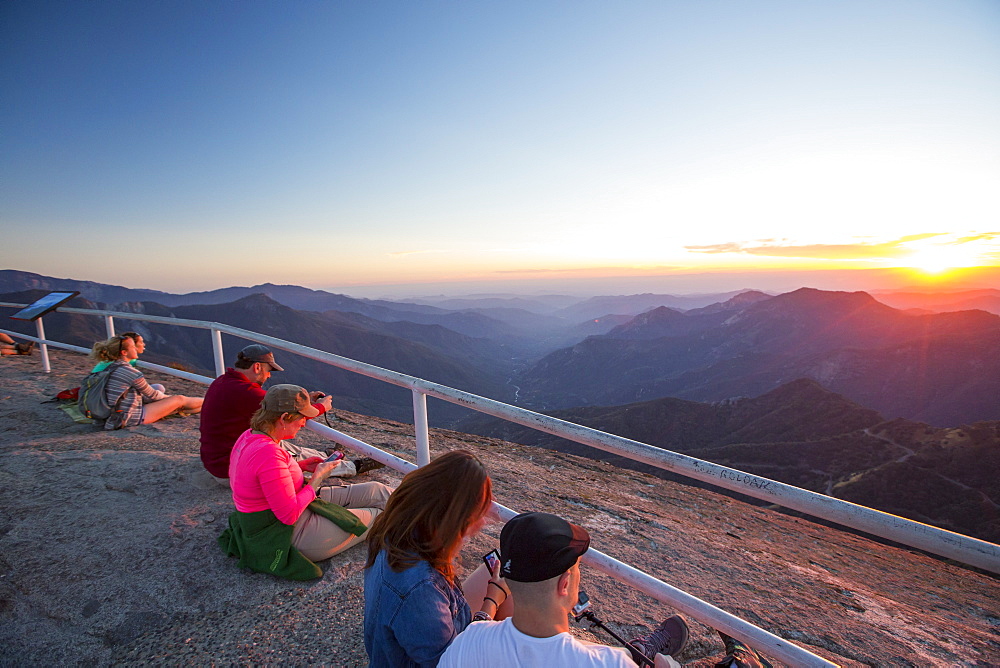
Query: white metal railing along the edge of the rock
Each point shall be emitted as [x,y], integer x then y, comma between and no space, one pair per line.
[932,539]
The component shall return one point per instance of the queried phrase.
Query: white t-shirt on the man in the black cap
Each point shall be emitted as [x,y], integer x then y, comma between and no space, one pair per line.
[501,645]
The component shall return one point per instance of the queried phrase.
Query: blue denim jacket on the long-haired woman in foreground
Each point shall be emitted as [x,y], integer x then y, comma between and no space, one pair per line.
[412,616]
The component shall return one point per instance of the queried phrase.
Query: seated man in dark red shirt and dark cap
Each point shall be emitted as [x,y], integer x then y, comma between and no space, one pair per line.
[232,399]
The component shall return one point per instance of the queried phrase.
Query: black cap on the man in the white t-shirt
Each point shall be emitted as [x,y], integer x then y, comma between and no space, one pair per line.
[539,546]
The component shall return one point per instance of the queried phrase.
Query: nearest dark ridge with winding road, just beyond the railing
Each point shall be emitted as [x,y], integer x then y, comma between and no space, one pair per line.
[807,436]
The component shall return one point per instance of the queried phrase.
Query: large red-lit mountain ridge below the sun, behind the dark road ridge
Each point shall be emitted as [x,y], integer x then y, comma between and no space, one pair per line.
[939,368]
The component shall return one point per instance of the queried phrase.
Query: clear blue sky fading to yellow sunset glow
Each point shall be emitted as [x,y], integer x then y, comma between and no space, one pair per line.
[381,146]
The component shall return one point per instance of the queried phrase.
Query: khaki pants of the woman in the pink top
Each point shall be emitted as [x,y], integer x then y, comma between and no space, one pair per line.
[318,538]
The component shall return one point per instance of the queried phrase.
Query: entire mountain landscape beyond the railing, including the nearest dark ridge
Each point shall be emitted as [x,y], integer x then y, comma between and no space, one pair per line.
[795,387]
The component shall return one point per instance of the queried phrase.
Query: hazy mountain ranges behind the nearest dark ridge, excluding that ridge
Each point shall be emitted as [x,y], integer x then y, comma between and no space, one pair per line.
[558,351]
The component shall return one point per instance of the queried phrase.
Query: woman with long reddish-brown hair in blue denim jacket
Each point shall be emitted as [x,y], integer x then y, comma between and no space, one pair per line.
[414,603]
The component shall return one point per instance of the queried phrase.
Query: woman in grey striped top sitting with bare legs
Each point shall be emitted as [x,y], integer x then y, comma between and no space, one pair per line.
[132,400]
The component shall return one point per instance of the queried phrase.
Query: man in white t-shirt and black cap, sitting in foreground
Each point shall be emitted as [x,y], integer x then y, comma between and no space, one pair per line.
[540,561]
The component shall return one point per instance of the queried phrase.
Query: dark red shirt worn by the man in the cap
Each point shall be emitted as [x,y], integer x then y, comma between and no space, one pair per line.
[230,402]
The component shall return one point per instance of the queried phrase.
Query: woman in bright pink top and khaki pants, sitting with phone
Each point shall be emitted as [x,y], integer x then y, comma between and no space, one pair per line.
[274,503]
